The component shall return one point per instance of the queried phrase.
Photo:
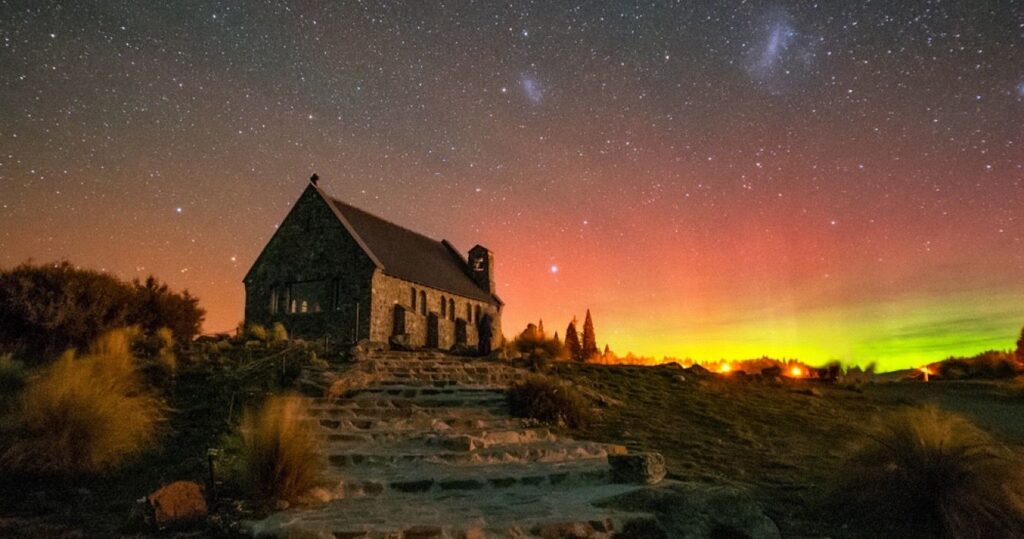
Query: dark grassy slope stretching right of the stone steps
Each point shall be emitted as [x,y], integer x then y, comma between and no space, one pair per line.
[779,441]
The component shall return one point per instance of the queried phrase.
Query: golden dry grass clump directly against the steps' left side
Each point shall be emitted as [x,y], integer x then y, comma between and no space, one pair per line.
[281,455]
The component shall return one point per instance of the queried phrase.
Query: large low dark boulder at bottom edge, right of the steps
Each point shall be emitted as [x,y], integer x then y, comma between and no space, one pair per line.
[694,510]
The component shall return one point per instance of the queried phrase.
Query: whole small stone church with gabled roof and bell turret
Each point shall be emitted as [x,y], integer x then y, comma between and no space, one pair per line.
[333,270]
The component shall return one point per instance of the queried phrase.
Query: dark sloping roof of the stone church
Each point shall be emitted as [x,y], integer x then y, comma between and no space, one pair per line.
[409,256]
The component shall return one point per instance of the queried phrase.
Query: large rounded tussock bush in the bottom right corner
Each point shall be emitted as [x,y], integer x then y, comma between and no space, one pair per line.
[925,473]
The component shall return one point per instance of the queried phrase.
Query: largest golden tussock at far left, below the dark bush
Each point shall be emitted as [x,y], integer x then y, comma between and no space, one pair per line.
[83,416]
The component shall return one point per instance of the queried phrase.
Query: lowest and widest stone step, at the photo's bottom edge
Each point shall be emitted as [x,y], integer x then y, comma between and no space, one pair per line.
[522,511]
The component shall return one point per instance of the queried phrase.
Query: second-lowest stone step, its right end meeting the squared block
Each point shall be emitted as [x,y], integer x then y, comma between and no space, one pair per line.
[428,477]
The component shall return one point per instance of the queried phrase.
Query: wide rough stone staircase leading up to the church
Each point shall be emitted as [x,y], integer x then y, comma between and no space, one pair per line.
[421,446]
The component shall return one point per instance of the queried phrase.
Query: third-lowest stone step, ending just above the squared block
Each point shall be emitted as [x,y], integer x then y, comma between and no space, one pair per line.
[536,452]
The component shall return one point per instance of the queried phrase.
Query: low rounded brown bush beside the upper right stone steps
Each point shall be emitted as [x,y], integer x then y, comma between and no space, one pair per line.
[549,401]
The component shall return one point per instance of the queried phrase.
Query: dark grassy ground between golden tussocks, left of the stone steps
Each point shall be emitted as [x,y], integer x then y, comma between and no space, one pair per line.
[206,400]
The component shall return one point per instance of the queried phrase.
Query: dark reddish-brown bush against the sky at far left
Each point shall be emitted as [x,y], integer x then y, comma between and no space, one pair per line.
[46,310]
